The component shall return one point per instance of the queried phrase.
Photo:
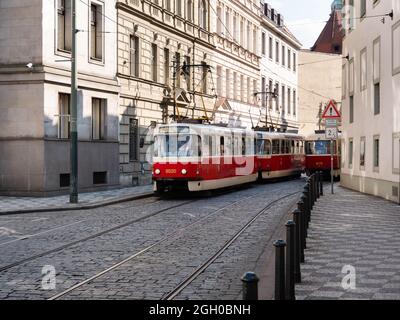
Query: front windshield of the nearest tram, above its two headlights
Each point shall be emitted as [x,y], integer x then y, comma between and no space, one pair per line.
[177,145]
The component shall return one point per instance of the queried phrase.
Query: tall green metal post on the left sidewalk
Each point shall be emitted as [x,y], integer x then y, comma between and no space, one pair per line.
[74,110]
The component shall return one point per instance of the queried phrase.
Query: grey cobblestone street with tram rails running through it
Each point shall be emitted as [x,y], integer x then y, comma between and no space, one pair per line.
[170,239]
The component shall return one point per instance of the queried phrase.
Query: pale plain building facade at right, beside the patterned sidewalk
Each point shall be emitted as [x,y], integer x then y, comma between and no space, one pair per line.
[371,98]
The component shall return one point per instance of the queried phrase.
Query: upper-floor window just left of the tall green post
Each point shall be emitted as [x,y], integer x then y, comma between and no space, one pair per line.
[64,32]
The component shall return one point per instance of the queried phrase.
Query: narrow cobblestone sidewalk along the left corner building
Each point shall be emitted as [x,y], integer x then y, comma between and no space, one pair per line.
[86,200]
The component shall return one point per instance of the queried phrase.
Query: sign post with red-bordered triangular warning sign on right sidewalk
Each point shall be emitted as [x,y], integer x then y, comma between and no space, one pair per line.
[331,116]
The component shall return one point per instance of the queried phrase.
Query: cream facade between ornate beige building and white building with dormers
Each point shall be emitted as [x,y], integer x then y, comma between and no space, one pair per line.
[236,61]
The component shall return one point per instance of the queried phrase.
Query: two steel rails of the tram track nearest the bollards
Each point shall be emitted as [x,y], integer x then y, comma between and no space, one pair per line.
[200,269]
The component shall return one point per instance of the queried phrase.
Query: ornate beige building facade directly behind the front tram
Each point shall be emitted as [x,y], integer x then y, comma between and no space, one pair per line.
[156,39]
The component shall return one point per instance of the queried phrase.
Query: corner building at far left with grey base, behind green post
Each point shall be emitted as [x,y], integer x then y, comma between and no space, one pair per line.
[35,52]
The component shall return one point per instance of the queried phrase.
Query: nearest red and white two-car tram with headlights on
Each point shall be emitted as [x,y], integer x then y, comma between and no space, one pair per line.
[194,157]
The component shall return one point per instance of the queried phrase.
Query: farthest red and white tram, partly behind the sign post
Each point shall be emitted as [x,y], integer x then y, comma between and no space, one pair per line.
[318,155]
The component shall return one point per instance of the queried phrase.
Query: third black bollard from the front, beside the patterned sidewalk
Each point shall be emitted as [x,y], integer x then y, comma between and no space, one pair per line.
[290,263]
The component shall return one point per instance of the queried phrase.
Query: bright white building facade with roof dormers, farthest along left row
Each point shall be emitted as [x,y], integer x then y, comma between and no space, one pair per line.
[279,71]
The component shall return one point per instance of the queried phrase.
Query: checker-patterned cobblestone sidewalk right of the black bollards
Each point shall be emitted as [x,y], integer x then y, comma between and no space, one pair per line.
[356,230]
